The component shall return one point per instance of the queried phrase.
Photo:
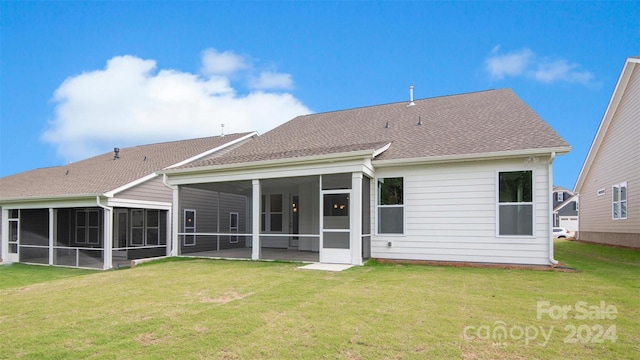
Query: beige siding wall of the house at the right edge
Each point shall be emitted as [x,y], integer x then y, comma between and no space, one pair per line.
[617,160]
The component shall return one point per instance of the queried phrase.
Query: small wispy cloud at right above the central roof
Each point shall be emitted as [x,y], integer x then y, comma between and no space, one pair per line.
[527,64]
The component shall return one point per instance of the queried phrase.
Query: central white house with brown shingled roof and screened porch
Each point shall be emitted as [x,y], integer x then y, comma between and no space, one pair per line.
[463,178]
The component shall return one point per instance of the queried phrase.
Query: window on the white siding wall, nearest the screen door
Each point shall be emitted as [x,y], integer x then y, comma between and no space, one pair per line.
[390,205]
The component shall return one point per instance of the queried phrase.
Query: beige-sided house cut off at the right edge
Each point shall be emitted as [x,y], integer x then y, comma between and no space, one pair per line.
[609,182]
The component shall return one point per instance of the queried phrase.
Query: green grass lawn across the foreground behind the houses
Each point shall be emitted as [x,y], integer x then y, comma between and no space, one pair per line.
[209,309]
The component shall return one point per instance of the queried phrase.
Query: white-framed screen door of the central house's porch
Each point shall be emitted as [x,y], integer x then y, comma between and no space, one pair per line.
[336,231]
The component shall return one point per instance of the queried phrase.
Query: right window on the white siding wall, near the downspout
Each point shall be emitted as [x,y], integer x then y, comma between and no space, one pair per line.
[515,203]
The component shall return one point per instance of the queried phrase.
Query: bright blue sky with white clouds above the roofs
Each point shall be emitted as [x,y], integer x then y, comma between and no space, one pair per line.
[79,78]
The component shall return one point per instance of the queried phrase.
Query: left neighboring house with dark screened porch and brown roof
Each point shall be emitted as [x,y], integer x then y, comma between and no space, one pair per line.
[100,211]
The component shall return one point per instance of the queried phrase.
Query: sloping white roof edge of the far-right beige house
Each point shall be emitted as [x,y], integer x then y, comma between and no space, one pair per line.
[630,64]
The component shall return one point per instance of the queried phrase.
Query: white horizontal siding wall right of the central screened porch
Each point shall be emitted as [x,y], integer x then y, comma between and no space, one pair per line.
[450,214]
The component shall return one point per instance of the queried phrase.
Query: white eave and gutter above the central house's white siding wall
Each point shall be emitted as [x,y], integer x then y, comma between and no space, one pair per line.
[470,157]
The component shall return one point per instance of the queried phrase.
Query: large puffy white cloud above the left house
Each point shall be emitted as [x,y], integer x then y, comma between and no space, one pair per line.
[130,103]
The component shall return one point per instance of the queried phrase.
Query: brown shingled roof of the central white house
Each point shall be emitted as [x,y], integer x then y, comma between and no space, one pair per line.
[491,121]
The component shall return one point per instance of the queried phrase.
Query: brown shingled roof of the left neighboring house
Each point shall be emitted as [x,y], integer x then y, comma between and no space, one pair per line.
[101,174]
